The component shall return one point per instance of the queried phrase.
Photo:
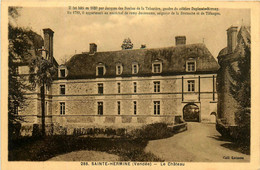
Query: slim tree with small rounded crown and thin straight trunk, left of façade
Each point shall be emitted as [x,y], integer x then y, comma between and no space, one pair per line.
[41,74]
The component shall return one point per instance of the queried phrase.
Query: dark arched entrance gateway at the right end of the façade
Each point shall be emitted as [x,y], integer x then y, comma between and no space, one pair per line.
[191,113]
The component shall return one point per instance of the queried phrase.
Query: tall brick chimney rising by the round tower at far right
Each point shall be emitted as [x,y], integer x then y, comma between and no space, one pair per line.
[231,39]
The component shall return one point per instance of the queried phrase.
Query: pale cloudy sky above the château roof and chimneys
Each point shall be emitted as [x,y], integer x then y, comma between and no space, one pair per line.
[73,33]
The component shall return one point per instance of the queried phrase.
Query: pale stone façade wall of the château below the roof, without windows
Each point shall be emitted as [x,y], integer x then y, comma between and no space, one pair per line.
[81,97]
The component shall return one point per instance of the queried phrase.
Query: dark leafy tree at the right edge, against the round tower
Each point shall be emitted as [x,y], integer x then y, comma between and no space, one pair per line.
[241,91]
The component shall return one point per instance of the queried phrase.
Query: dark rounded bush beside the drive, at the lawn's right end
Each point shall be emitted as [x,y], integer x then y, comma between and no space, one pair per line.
[152,131]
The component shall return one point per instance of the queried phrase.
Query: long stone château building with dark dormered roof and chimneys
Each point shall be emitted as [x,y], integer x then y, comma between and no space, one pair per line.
[129,88]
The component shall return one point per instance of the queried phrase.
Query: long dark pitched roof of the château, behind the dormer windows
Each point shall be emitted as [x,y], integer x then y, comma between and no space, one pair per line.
[173,61]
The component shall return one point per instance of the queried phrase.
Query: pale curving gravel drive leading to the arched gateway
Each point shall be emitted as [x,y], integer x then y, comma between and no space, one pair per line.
[200,143]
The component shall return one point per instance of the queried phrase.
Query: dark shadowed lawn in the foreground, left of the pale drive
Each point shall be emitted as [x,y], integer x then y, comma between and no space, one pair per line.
[36,149]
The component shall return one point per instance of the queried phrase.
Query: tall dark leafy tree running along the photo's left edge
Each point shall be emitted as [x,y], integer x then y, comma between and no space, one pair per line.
[19,46]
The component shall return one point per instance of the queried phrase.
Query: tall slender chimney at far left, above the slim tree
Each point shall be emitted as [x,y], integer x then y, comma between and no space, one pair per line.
[48,42]
